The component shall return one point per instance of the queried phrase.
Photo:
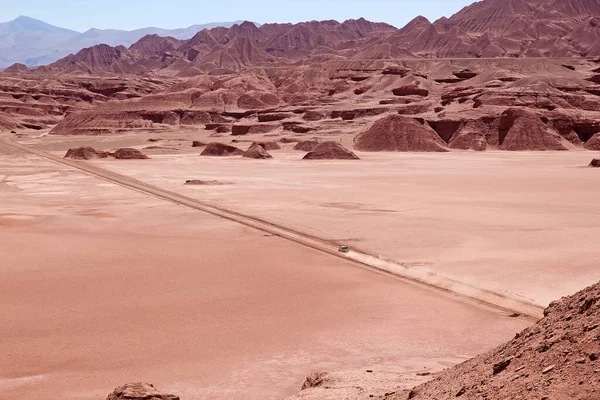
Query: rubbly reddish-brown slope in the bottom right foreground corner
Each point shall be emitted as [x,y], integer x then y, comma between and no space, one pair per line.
[558,358]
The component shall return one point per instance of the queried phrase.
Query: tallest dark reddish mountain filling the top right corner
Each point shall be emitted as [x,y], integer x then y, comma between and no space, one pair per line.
[508,28]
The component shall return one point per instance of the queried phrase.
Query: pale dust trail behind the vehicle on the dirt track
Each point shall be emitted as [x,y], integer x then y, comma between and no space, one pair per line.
[427,277]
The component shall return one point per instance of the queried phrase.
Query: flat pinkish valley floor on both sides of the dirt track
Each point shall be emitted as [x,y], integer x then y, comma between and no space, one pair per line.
[102,285]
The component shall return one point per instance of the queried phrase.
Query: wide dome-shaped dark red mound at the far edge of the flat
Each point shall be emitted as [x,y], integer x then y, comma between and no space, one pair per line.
[398,133]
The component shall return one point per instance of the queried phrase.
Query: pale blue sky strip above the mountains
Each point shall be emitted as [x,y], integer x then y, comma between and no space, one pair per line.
[130,14]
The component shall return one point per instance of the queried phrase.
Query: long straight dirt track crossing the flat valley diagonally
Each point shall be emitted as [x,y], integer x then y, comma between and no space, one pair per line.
[413,275]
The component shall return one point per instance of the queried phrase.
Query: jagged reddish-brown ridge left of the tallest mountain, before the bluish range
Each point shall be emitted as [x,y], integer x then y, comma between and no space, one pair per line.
[229,49]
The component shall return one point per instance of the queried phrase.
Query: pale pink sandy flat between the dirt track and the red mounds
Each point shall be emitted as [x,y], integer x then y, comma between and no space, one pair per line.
[525,223]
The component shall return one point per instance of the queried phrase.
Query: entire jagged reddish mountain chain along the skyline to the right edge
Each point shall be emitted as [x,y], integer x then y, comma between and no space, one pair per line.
[485,29]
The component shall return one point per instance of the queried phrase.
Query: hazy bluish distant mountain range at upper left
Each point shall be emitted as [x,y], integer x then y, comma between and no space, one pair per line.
[32,42]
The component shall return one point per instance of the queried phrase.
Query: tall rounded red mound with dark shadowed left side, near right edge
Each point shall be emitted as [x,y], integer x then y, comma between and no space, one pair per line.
[524,130]
